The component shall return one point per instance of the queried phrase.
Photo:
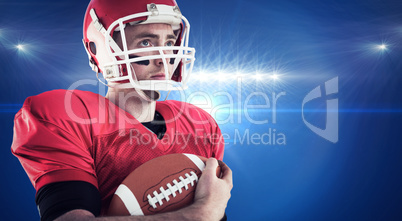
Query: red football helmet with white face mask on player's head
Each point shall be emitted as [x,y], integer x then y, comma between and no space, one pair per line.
[104,18]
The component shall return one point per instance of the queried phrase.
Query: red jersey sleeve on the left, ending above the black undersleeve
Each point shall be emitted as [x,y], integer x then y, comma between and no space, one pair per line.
[50,144]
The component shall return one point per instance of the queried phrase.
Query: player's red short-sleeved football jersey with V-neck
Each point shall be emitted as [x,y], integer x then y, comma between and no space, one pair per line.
[77,135]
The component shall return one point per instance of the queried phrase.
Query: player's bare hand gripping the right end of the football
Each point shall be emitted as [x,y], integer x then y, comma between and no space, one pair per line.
[213,193]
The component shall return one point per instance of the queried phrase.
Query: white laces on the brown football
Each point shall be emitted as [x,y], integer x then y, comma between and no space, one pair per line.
[172,189]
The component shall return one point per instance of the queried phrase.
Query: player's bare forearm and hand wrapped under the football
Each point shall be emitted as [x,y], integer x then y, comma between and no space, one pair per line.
[211,198]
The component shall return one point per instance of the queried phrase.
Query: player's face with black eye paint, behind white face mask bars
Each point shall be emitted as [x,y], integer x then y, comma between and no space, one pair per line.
[150,35]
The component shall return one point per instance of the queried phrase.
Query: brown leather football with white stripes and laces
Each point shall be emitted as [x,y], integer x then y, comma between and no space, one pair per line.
[163,184]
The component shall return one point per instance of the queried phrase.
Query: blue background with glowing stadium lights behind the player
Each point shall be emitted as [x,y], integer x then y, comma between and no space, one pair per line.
[305,42]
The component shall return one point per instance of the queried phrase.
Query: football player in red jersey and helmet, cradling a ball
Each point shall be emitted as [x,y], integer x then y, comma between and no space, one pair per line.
[77,146]
